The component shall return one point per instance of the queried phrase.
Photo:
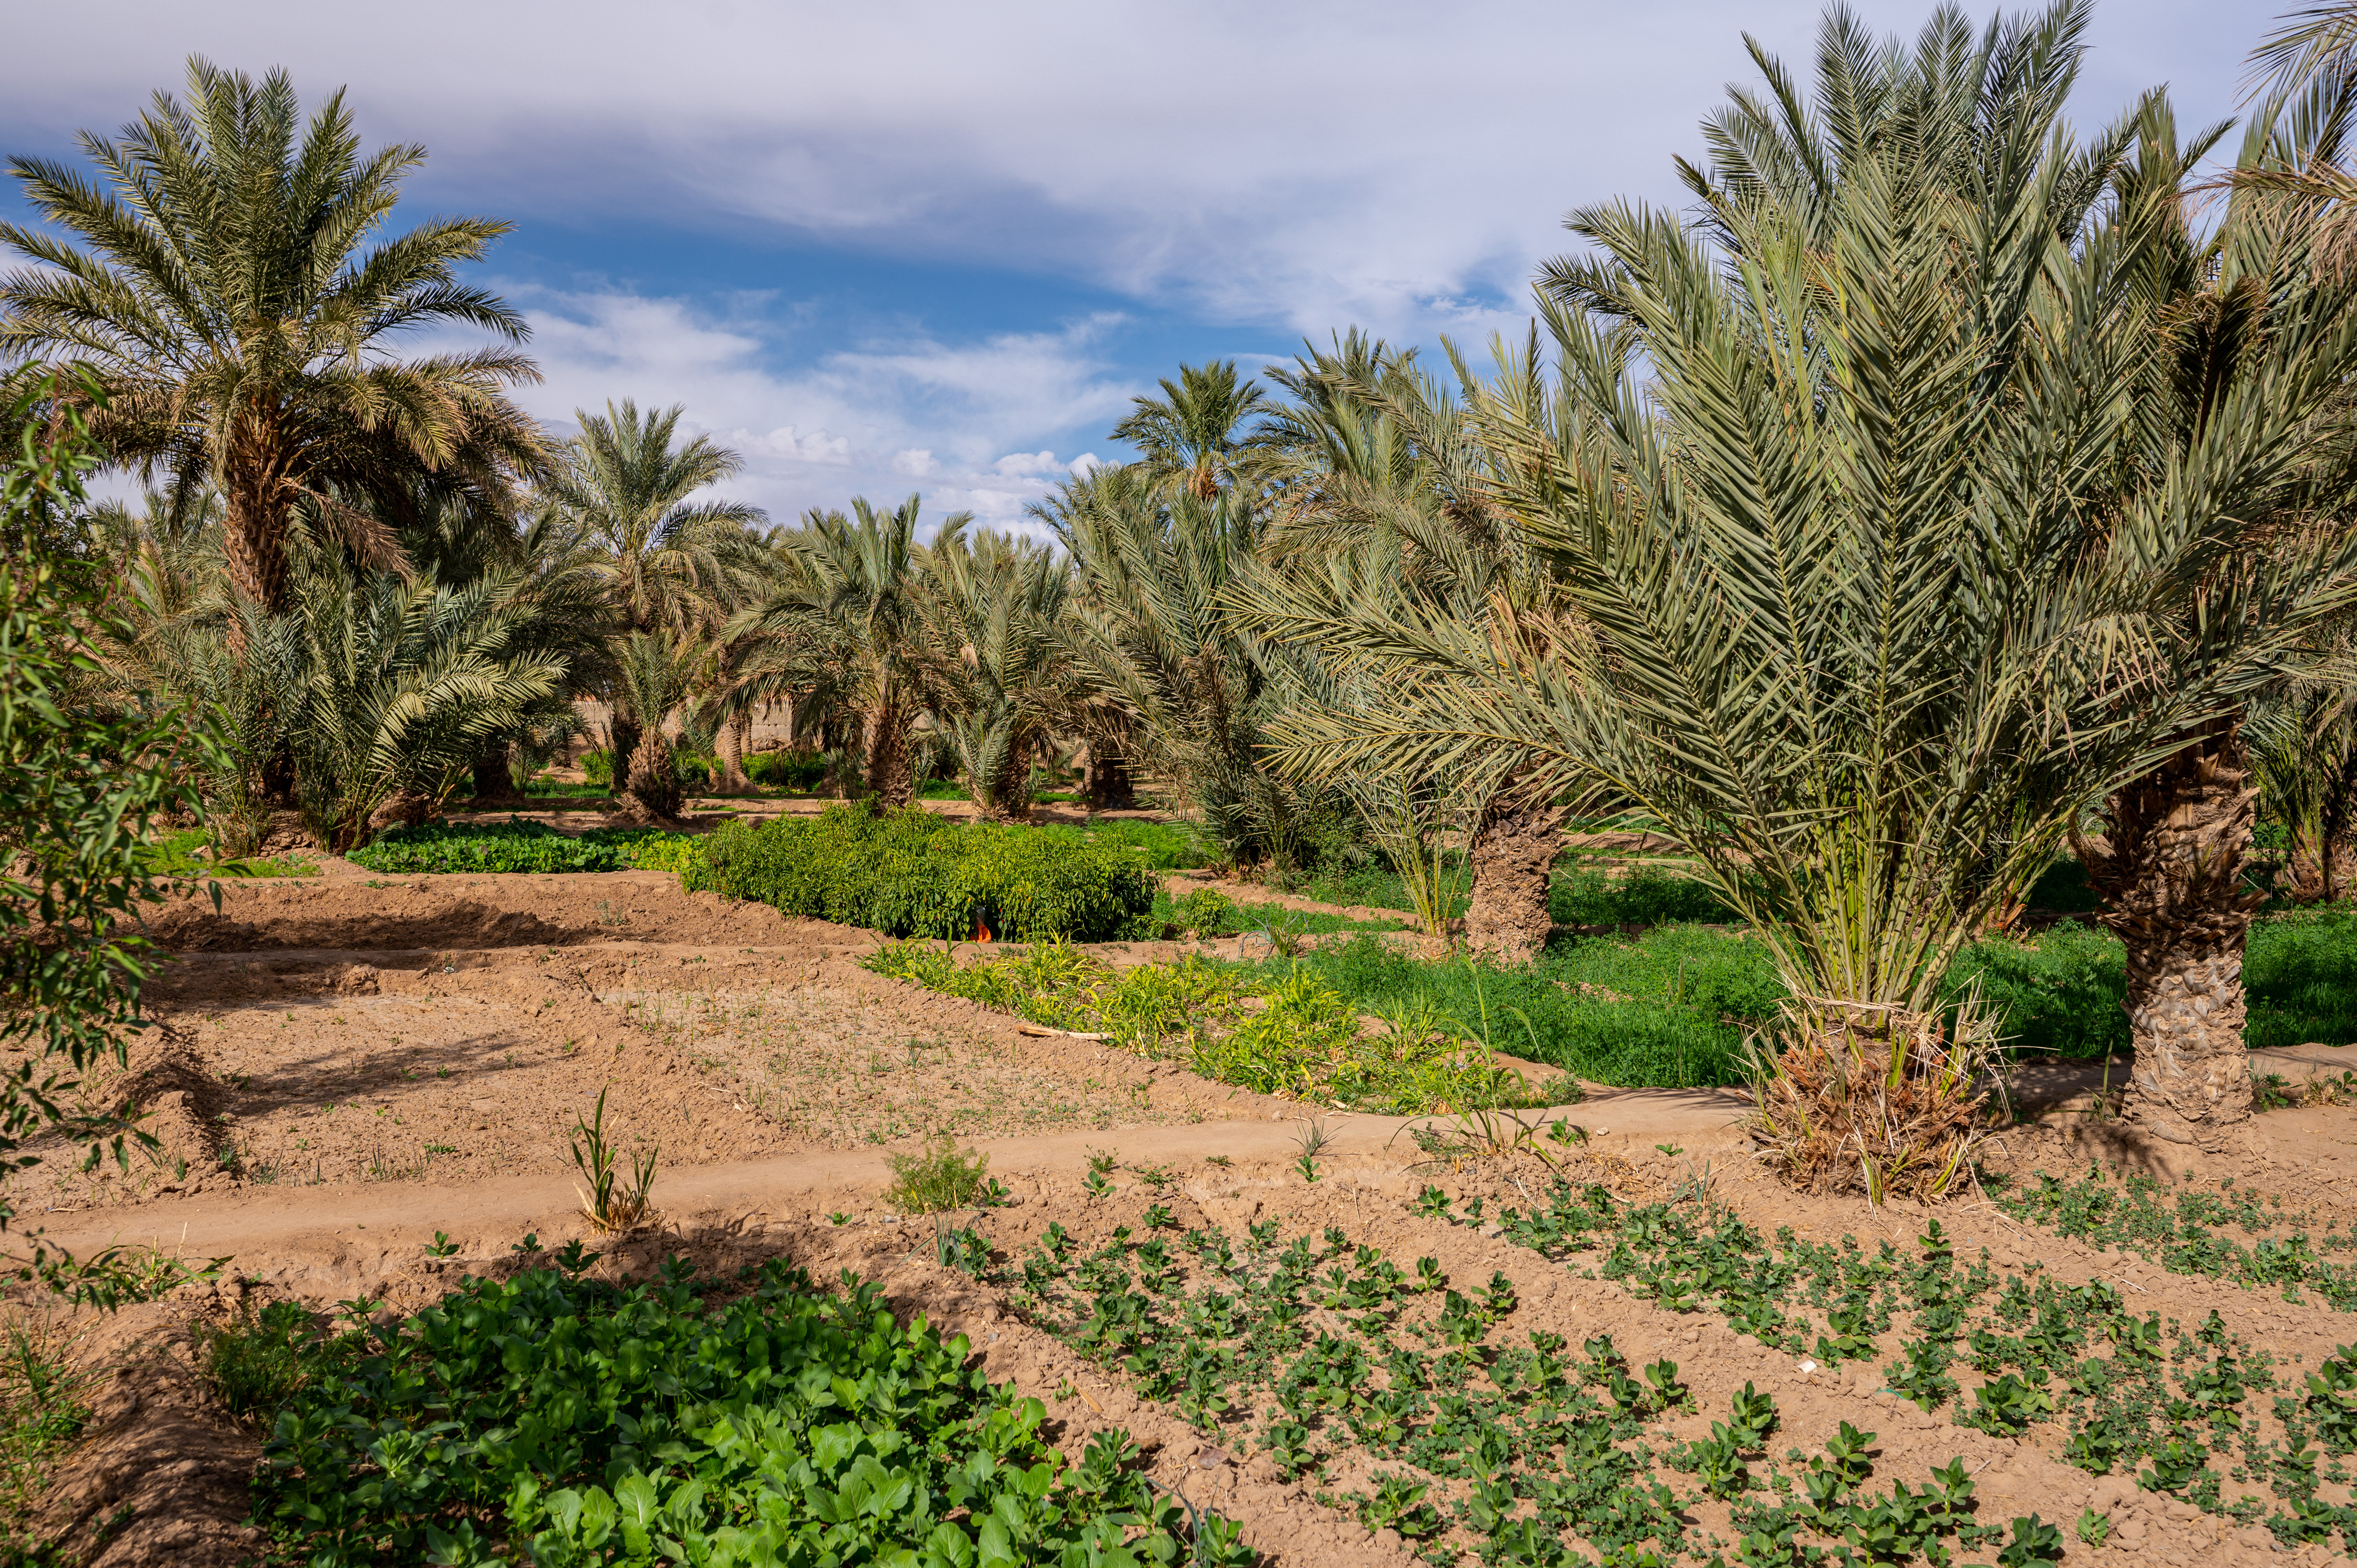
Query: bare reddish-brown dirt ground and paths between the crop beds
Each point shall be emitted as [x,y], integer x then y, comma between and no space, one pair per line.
[350,1065]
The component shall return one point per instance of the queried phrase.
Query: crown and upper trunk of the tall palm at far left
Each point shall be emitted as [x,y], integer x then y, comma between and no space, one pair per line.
[239,331]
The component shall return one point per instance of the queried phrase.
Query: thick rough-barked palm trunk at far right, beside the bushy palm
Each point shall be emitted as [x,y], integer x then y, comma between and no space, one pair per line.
[2170,874]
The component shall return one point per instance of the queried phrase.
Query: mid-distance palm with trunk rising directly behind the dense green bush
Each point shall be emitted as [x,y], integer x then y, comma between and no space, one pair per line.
[840,633]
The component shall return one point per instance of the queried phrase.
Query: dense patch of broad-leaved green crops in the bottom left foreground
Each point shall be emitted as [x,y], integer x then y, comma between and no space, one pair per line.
[562,1421]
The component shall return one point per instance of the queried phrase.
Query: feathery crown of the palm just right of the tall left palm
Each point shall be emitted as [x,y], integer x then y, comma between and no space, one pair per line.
[671,562]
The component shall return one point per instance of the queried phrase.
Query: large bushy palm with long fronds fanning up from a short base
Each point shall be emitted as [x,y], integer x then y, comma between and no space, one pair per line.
[1882,584]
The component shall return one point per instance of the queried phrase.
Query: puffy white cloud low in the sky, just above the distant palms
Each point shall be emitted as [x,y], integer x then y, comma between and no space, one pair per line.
[847,423]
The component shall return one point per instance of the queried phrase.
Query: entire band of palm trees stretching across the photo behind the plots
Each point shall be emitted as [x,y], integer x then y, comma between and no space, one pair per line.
[1941,492]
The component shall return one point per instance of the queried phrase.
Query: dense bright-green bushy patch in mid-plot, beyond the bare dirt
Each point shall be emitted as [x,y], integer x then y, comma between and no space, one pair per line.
[920,876]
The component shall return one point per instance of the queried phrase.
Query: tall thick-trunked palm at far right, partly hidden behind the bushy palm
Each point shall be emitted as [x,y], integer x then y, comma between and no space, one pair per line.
[2170,862]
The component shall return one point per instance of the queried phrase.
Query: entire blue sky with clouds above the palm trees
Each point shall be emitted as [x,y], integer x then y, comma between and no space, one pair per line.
[939,249]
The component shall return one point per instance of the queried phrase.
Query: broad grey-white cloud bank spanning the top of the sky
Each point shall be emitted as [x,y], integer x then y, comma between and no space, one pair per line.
[1389,164]
